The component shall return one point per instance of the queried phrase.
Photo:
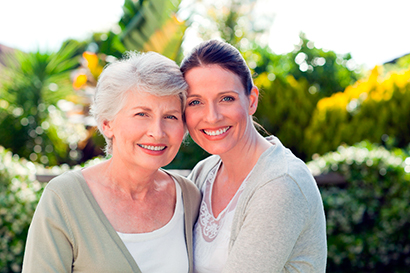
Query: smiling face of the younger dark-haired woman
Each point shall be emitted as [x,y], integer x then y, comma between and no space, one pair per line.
[218,112]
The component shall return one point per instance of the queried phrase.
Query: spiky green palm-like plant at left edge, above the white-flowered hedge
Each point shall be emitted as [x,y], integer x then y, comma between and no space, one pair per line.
[32,86]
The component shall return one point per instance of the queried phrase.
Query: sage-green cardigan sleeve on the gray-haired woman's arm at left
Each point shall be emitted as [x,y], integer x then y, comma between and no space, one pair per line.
[49,245]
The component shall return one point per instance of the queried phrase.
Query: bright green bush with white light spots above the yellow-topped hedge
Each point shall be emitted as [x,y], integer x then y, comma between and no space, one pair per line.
[325,71]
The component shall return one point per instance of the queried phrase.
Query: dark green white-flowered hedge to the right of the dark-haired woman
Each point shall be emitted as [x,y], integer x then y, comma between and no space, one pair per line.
[368,221]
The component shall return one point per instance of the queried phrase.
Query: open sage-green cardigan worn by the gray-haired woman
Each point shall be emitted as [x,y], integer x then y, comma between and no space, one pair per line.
[70,233]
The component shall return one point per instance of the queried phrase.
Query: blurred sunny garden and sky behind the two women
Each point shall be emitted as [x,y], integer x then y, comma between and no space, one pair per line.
[335,88]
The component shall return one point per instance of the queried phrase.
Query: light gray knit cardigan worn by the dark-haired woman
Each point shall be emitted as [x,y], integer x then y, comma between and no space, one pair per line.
[279,223]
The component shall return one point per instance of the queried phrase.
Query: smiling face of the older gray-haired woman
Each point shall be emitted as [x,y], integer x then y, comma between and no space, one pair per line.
[148,130]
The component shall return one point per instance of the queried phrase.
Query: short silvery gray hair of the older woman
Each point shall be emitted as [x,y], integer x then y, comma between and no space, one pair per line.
[148,72]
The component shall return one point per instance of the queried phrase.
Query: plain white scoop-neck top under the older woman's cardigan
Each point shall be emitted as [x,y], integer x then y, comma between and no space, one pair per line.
[164,249]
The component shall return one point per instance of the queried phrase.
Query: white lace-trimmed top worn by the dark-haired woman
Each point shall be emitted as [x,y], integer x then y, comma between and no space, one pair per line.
[211,235]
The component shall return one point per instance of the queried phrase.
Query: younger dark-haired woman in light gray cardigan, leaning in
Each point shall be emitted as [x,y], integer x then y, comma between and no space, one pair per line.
[261,210]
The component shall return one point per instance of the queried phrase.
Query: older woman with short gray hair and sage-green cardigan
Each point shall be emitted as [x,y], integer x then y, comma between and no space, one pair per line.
[125,214]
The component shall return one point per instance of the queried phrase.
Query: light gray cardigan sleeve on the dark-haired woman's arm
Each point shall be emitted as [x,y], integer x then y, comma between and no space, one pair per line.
[271,223]
